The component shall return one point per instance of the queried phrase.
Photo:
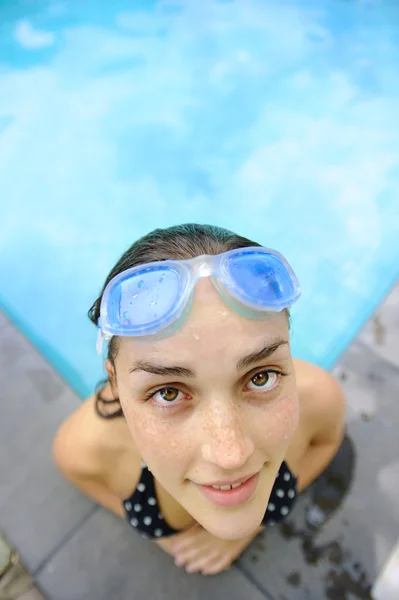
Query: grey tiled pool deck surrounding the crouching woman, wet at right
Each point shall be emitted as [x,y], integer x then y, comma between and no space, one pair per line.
[75,550]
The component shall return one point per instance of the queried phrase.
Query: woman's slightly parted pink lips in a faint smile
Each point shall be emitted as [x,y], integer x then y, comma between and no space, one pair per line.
[230,494]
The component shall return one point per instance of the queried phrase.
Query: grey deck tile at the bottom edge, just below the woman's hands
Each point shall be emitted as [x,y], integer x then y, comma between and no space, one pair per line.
[106,559]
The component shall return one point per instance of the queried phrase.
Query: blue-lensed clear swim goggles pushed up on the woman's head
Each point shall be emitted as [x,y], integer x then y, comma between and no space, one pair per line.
[153,299]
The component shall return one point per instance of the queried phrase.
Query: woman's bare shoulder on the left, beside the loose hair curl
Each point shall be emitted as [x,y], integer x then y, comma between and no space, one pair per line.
[86,444]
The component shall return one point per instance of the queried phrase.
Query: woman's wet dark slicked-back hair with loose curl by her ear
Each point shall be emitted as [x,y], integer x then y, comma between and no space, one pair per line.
[174,243]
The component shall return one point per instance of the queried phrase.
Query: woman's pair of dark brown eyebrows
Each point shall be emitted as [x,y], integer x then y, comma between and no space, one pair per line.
[177,371]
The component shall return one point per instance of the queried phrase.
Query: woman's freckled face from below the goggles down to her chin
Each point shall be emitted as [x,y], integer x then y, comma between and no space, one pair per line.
[205,407]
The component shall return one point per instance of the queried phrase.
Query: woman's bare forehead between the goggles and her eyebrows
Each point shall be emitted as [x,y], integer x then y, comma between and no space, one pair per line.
[211,329]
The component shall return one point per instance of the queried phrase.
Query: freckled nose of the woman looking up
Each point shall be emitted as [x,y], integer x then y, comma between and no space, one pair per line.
[226,443]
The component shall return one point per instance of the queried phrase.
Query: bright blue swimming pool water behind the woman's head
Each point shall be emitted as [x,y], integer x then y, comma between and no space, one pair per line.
[276,119]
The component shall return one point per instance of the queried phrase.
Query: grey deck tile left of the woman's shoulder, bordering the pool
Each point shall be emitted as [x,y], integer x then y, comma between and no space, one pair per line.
[38,508]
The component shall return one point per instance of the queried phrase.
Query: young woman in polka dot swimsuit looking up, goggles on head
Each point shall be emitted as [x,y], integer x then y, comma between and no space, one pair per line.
[207,428]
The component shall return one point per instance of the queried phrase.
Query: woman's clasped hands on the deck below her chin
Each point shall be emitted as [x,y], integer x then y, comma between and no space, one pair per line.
[200,551]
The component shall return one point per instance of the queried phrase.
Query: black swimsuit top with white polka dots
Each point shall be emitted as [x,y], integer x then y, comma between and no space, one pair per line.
[143,512]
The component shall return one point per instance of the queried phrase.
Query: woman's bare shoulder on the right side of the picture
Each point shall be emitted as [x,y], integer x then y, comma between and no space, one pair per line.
[322,402]
